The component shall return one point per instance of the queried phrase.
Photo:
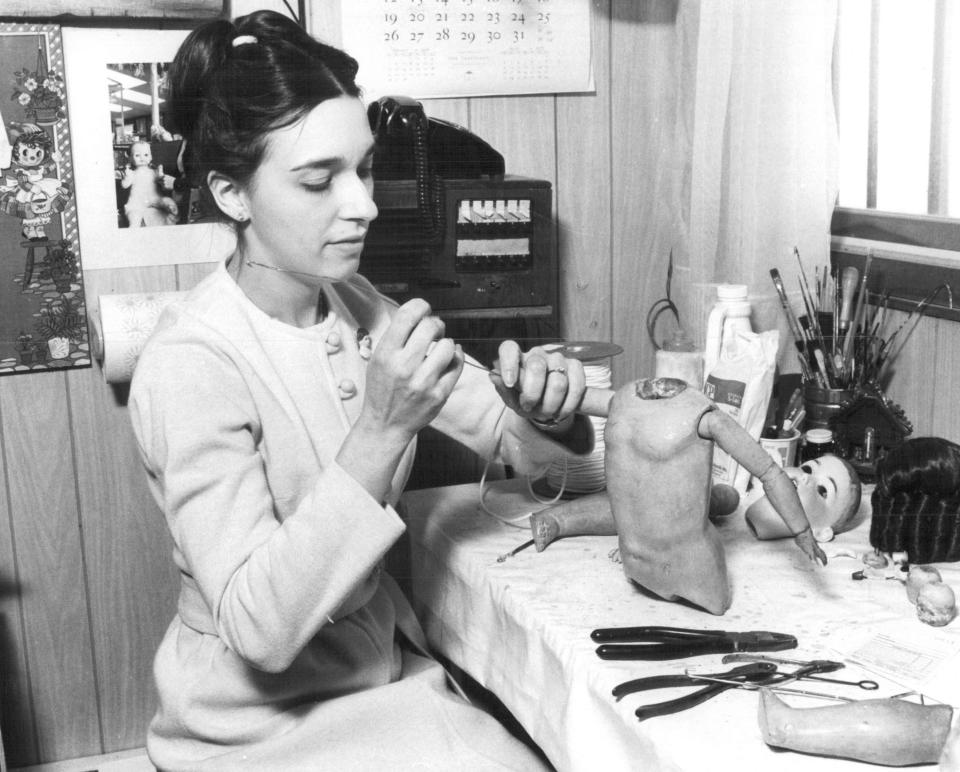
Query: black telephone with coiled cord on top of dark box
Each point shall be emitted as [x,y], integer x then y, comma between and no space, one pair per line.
[411,146]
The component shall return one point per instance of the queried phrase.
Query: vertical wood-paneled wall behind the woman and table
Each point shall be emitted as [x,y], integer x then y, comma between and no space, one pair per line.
[87,586]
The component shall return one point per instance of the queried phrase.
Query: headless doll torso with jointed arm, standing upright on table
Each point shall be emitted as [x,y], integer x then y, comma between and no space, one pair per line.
[659,441]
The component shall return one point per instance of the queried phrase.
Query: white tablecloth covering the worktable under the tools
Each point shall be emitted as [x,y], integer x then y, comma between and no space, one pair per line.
[521,628]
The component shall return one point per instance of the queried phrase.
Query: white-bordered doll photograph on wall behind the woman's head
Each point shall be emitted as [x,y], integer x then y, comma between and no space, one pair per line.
[135,206]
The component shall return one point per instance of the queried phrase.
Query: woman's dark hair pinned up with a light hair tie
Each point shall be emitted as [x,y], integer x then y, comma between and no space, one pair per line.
[231,83]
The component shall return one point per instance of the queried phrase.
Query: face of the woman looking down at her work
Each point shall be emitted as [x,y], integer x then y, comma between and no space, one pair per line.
[310,201]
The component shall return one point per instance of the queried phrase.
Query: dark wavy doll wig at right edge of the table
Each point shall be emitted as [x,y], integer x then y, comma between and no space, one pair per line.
[916,502]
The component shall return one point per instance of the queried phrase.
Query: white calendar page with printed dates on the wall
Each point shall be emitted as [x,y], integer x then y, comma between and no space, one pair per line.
[455,48]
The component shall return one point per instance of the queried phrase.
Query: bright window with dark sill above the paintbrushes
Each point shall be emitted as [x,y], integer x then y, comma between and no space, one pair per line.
[897,87]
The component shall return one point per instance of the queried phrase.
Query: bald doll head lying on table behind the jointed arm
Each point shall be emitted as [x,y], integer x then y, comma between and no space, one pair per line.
[829,490]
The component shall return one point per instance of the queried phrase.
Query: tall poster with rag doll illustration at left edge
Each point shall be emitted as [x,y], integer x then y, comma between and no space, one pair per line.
[43,319]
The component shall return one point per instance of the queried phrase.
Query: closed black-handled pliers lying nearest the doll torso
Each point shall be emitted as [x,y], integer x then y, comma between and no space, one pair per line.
[660,643]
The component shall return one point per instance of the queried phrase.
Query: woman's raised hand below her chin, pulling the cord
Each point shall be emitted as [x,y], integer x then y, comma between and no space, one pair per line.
[411,373]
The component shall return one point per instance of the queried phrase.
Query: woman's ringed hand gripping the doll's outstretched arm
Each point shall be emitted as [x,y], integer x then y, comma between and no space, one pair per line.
[540,385]
